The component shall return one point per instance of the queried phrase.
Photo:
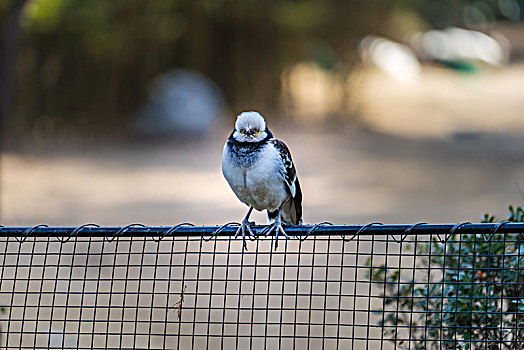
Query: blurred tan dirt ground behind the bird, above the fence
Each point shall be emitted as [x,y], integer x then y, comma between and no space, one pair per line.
[351,176]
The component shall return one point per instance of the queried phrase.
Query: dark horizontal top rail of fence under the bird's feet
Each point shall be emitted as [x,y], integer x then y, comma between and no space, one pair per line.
[348,232]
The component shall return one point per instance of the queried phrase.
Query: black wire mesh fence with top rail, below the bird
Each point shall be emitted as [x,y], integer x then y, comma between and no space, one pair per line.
[354,287]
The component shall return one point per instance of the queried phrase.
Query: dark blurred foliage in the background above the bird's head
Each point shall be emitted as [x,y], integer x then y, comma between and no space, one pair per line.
[86,64]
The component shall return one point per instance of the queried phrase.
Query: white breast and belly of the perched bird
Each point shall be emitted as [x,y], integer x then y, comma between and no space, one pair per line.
[259,183]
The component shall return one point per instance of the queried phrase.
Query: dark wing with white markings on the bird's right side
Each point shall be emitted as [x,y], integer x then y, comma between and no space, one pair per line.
[291,179]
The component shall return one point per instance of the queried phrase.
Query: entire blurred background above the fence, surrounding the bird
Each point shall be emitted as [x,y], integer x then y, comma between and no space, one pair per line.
[395,110]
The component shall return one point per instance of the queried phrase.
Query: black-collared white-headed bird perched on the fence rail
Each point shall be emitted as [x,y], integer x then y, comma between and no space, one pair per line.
[261,173]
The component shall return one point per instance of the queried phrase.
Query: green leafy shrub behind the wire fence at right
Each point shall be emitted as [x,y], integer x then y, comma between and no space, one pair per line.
[470,298]
